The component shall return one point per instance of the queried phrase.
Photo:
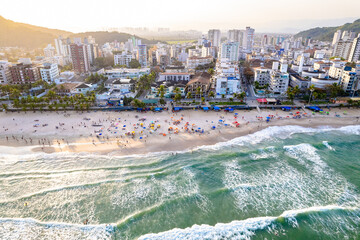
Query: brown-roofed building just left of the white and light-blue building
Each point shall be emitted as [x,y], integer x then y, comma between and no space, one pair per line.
[200,80]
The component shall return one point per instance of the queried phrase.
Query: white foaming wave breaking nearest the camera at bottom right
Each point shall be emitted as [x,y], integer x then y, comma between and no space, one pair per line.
[243,229]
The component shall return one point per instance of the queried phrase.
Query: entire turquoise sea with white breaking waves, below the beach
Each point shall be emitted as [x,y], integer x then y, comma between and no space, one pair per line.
[279,183]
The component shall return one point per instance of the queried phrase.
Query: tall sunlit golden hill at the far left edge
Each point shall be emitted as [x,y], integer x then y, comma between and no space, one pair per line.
[14,34]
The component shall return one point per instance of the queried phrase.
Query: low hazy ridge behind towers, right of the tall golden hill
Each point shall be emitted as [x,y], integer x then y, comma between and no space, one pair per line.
[103,37]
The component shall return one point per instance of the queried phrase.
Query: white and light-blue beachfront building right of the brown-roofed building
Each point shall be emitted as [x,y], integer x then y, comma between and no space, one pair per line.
[227,78]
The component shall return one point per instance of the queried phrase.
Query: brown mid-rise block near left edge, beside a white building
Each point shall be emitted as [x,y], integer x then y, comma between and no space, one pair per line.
[24,73]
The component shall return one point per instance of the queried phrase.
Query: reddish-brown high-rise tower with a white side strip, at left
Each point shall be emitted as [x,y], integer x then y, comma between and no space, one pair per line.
[80,58]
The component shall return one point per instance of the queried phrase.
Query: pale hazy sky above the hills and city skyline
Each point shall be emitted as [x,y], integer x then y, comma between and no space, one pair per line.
[263,15]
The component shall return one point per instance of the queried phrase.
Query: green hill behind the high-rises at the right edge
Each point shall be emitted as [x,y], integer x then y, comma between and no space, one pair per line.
[327,33]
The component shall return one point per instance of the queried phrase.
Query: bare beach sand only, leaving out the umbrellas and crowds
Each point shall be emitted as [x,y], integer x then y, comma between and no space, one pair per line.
[114,143]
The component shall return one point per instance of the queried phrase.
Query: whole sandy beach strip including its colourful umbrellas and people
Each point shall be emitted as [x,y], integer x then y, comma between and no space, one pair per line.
[125,133]
